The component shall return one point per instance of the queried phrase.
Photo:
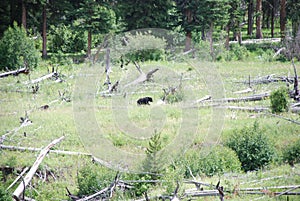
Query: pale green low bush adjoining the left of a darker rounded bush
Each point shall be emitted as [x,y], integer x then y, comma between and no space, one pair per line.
[209,162]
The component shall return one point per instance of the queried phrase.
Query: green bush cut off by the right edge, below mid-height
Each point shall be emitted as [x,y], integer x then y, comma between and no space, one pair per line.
[292,153]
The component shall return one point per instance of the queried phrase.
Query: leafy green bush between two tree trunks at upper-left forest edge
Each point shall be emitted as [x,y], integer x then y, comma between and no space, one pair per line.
[64,39]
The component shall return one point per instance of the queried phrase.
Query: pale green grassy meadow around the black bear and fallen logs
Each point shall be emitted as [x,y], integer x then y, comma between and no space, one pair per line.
[184,125]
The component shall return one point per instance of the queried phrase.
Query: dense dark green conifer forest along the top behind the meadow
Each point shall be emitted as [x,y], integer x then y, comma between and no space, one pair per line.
[77,26]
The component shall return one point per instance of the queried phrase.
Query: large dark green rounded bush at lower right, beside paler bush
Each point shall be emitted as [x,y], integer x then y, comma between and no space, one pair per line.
[252,147]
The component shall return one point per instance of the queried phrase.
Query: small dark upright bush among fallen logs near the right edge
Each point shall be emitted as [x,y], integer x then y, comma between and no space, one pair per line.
[279,100]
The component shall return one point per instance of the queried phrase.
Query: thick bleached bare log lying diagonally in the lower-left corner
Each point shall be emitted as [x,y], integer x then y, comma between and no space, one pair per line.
[21,188]
